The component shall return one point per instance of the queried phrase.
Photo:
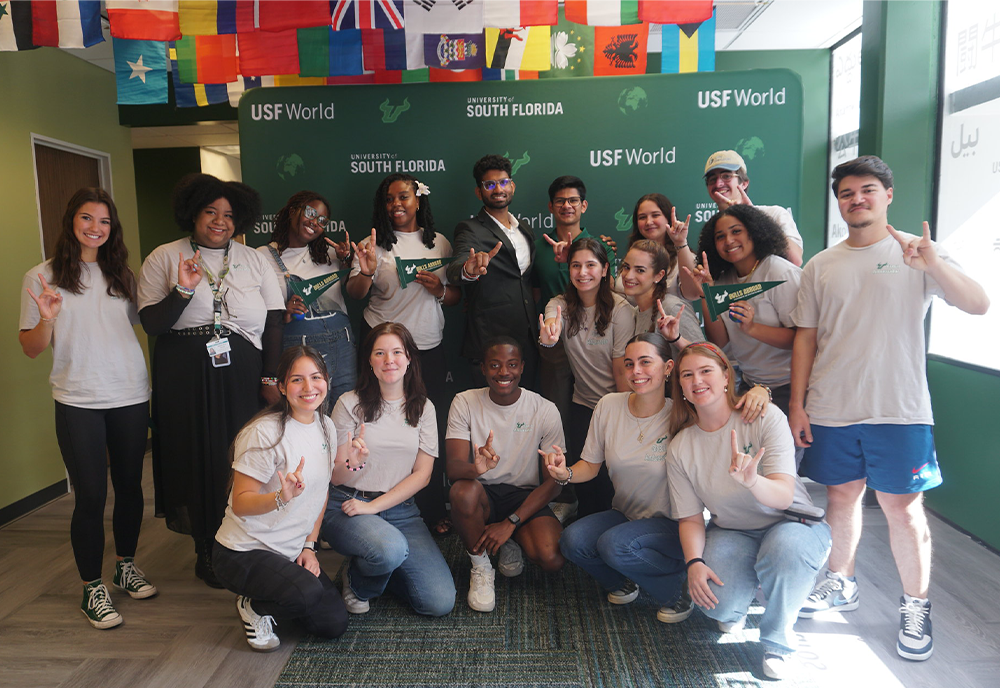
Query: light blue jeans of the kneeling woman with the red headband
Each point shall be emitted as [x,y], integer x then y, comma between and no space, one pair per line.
[784,558]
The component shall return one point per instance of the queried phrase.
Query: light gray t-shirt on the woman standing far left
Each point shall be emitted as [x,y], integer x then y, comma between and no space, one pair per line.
[96,359]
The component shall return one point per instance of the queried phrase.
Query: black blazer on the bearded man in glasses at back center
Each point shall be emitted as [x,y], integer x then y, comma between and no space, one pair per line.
[501,301]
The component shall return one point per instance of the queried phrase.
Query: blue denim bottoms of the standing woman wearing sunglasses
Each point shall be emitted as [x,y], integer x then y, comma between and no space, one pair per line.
[332,337]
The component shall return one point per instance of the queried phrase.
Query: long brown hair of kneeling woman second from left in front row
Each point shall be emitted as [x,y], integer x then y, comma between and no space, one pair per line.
[370,403]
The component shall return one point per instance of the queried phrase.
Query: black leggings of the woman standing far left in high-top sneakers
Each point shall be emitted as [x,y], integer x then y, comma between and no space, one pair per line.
[90,440]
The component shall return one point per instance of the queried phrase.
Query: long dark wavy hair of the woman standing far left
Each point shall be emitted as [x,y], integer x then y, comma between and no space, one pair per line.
[112,256]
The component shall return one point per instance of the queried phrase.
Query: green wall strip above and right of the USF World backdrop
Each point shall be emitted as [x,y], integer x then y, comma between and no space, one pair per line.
[813,66]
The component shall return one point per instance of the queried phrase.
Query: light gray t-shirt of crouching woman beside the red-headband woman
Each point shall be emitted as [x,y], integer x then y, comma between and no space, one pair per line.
[636,468]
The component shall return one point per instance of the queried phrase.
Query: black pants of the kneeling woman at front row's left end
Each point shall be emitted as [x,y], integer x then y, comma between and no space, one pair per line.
[282,589]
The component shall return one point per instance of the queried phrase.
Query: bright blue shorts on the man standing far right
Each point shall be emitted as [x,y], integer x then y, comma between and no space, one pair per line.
[896,459]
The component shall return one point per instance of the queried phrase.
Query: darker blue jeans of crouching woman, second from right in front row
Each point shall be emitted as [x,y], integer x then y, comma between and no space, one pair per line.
[612,548]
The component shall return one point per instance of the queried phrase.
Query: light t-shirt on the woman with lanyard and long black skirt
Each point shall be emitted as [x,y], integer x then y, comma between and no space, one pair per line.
[250,288]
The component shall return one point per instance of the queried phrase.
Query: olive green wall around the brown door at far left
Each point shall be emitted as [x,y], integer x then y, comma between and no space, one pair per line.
[51,93]
